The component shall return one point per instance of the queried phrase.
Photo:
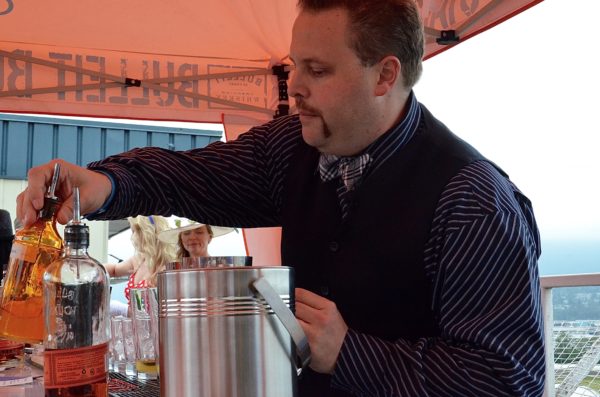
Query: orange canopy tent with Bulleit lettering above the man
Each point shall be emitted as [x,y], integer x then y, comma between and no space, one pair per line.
[205,61]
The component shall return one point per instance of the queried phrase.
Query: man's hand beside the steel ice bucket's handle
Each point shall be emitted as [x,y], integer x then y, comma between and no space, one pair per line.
[324,327]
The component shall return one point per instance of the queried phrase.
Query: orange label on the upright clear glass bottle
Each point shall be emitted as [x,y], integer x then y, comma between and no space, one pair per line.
[75,367]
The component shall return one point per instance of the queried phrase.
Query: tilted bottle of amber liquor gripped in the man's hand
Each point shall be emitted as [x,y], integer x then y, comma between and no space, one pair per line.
[33,250]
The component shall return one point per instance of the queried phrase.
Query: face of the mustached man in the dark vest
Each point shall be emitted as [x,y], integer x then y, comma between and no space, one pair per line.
[334,92]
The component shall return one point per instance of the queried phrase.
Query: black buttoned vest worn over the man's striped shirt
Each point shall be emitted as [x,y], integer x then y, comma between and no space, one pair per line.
[371,263]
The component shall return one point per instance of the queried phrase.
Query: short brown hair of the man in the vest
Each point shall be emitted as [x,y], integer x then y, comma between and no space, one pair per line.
[380,28]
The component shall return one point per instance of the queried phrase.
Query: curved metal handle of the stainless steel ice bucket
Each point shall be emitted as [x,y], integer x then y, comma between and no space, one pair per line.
[287,318]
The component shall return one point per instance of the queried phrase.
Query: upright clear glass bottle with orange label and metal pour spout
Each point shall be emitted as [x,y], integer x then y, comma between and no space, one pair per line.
[77,318]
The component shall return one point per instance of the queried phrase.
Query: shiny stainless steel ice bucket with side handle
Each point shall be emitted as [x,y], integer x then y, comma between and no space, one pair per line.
[229,332]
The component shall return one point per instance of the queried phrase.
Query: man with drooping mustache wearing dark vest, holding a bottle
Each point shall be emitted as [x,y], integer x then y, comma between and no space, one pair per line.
[415,257]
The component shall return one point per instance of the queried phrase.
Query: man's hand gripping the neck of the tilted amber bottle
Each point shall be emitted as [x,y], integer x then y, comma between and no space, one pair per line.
[94,189]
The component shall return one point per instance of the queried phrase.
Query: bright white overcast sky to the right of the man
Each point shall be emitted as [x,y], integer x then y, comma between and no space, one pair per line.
[526,94]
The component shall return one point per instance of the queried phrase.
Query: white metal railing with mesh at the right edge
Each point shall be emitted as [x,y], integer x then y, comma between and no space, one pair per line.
[562,379]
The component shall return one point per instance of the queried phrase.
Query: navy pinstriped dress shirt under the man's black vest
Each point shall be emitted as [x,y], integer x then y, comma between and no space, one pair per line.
[481,258]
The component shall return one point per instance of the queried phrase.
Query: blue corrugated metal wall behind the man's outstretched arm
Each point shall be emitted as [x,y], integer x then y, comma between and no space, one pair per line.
[27,141]
